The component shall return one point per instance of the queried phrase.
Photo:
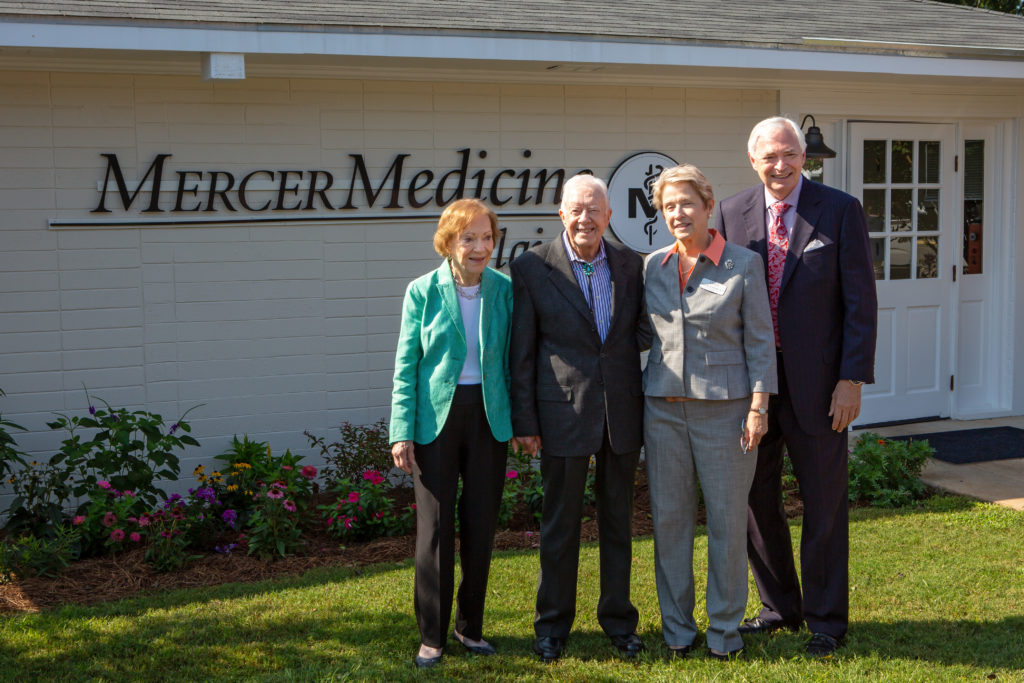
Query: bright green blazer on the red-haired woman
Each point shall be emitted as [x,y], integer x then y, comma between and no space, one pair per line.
[433,351]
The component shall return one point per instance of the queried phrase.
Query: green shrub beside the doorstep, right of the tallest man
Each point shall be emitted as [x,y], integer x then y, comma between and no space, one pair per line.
[885,473]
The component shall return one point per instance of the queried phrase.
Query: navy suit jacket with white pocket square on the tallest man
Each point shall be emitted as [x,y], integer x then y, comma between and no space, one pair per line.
[828,308]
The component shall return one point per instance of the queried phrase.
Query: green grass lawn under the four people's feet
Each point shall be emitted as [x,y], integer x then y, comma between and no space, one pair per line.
[937,593]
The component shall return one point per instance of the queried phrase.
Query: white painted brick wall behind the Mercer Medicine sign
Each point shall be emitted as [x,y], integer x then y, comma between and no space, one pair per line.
[276,329]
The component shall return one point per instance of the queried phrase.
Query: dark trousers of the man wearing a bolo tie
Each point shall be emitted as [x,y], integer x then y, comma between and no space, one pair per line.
[565,480]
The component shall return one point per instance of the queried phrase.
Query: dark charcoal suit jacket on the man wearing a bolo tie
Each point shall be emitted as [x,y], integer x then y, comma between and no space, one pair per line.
[565,381]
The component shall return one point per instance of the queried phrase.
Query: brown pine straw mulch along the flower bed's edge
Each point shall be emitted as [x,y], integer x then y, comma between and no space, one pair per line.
[111,578]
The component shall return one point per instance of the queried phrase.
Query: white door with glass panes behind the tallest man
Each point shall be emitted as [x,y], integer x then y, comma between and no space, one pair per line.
[904,175]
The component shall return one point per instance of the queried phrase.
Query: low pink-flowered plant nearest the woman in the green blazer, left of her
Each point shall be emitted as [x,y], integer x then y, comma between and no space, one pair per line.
[365,510]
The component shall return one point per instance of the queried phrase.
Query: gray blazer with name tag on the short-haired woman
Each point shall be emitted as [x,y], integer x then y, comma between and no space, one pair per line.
[716,341]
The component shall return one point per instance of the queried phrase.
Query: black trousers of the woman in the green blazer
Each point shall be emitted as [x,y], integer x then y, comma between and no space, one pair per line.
[465,448]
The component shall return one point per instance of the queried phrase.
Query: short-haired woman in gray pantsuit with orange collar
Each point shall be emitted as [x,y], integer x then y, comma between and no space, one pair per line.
[711,370]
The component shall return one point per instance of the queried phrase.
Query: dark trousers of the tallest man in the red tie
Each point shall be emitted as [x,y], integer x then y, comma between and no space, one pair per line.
[820,462]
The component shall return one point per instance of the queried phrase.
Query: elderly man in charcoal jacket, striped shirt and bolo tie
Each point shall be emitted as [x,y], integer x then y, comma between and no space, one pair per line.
[578,325]
